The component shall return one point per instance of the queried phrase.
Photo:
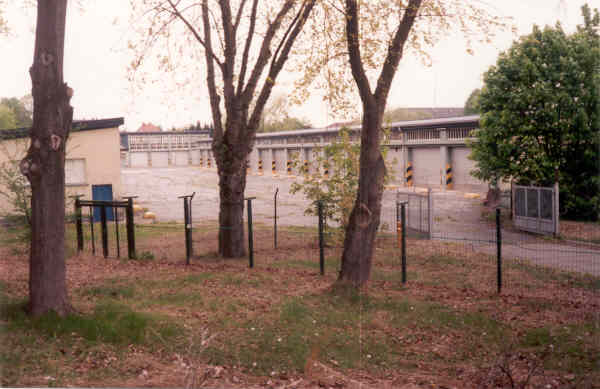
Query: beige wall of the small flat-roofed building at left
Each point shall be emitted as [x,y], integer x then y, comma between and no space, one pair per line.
[99,148]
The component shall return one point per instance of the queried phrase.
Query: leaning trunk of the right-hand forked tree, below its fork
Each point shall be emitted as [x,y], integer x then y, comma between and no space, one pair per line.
[359,242]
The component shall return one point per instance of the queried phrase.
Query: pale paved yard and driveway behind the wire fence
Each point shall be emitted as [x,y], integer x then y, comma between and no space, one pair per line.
[456,217]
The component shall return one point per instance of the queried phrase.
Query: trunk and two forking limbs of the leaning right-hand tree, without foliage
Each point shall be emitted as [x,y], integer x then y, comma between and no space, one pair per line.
[359,242]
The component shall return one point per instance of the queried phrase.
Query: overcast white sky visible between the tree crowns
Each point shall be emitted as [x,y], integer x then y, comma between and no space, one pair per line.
[96,62]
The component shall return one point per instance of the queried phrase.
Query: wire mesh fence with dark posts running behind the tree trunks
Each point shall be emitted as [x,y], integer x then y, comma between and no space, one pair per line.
[445,244]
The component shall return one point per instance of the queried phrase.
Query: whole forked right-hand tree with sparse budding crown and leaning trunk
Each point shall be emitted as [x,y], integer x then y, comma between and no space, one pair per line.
[363,43]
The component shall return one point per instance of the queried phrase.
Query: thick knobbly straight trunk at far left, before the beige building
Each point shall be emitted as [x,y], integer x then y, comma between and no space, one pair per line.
[44,164]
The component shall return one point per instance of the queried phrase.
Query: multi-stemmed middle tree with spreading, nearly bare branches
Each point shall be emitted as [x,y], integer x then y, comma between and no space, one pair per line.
[265,32]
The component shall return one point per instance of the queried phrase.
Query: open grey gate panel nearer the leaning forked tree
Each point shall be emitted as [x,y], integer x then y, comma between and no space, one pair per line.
[419,213]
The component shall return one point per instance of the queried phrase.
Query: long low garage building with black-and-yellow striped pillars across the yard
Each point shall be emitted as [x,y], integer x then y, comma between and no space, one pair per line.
[432,152]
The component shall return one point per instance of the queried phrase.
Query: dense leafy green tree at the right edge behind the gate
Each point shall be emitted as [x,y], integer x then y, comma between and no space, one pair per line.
[541,116]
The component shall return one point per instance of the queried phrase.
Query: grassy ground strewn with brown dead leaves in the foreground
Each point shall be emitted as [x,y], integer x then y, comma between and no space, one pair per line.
[283,319]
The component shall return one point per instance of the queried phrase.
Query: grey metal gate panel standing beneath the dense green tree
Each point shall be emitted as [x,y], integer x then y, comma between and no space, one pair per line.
[535,209]
